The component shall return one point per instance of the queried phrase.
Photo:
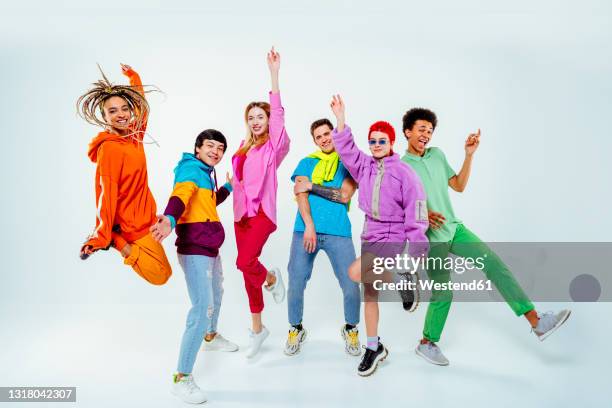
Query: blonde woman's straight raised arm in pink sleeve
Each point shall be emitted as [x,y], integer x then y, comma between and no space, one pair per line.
[276,126]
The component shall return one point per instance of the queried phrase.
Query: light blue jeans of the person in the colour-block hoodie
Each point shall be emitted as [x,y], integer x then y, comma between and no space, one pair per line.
[204,277]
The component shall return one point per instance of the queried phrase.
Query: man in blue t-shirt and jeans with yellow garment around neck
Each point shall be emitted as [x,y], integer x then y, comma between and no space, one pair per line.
[323,189]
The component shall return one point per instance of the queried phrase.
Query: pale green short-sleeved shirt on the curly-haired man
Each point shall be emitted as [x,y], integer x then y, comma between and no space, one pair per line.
[434,171]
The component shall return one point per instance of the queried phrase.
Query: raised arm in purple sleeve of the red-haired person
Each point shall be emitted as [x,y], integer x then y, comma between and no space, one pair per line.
[352,158]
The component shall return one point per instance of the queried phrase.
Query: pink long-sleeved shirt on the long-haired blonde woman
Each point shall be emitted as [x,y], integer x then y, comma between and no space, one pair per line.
[255,182]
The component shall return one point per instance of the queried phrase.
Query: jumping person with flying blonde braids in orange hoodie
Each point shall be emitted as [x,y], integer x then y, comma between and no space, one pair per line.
[125,205]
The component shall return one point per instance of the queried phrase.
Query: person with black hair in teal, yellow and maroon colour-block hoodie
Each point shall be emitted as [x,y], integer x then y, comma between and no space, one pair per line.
[192,212]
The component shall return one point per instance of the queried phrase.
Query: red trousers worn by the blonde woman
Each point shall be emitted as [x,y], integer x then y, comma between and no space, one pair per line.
[251,235]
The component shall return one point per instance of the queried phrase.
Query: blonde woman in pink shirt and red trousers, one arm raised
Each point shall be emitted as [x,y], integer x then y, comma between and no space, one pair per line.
[255,185]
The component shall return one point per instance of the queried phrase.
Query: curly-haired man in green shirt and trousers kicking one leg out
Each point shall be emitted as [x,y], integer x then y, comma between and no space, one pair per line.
[447,234]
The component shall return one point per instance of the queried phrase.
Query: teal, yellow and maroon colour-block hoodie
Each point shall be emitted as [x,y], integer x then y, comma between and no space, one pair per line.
[192,207]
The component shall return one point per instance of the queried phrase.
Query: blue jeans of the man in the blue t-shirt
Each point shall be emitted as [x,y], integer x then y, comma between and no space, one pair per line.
[341,253]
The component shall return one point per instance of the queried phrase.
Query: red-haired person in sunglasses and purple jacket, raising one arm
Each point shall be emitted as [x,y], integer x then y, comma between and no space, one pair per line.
[393,200]
